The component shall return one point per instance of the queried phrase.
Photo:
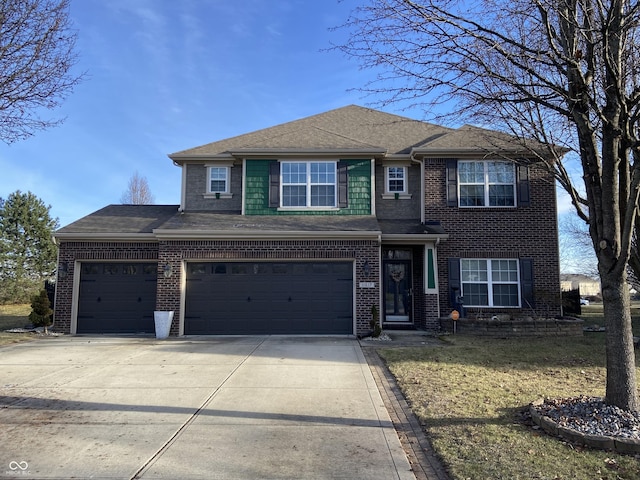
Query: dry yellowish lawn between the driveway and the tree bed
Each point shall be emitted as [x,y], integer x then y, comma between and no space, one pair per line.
[470,395]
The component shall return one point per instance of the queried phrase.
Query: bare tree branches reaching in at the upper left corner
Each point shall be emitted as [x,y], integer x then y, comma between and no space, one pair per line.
[36,57]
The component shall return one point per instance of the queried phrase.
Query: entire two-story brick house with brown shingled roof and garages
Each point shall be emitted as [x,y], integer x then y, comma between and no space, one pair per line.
[303,227]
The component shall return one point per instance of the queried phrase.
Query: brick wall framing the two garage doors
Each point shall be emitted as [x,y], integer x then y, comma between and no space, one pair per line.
[174,253]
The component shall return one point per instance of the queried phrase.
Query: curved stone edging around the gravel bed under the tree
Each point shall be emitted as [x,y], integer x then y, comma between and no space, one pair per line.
[620,445]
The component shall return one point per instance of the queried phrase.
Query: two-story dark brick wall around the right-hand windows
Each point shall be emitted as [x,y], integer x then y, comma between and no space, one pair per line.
[520,232]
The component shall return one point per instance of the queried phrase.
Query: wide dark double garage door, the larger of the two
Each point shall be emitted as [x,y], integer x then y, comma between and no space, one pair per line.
[269,298]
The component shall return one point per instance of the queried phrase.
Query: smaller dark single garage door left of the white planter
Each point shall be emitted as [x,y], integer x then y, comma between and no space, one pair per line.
[117,298]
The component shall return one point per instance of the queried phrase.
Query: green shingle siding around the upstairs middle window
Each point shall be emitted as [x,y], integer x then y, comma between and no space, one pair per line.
[257,190]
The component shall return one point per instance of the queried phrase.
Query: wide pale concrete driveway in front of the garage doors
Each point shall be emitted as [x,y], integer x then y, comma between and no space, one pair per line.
[264,407]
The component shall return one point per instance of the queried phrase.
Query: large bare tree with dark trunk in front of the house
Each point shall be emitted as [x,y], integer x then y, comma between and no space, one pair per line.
[562,72]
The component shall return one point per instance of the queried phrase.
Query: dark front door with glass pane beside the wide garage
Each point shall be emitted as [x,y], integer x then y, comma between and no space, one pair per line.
[398,303]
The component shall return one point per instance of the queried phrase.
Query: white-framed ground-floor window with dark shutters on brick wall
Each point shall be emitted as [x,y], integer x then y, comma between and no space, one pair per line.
[490,282]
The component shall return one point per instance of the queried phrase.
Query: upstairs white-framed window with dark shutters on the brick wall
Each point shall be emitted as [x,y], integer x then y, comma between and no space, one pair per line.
[486,184]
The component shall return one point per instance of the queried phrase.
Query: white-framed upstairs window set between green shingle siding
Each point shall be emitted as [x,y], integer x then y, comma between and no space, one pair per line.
[309,184]
